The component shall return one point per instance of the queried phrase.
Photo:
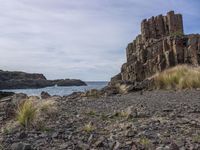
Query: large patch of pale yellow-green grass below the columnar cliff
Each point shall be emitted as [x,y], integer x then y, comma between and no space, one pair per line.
[179,77]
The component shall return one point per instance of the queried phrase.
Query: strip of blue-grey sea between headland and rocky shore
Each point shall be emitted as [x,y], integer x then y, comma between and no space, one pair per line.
[60,90]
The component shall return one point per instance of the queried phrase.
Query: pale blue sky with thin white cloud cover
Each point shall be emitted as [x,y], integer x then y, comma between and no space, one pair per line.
[81,39]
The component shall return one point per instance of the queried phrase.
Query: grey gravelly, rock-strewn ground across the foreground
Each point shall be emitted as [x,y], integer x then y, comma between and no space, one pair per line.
[154,120]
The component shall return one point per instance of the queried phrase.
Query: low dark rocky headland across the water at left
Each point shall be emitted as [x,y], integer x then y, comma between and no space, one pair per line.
[20,80]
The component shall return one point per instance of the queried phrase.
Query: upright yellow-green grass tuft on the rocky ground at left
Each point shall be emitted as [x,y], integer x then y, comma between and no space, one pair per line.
[26,113]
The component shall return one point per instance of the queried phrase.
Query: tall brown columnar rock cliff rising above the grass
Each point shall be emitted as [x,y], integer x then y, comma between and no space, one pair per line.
[161,44]
